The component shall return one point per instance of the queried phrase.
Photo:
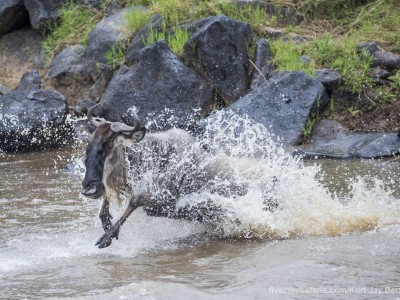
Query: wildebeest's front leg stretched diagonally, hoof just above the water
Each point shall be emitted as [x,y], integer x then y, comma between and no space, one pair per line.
[113,231]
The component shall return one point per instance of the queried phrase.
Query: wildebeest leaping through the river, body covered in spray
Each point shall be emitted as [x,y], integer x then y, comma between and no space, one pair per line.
[118,151]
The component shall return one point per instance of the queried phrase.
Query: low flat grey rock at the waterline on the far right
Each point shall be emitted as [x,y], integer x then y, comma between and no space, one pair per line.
[331,140]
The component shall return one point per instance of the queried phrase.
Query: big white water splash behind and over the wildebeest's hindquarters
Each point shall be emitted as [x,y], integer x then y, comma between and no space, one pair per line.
[277,195]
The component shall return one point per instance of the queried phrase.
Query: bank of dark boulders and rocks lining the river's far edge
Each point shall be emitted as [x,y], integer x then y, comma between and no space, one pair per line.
[217,69]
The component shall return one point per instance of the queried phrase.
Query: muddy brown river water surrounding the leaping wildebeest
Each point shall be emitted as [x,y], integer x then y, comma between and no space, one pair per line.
[346,250]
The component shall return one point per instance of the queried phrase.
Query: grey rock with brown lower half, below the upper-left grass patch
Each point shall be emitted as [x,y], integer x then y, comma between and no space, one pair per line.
[67,74]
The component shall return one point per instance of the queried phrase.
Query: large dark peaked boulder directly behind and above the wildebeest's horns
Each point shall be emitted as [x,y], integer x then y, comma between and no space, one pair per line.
[158,83]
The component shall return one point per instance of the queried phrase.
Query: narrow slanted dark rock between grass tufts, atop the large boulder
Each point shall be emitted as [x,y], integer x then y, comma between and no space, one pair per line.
[138,41]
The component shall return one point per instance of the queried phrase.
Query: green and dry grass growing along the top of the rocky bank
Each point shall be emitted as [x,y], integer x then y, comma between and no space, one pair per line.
[336,27]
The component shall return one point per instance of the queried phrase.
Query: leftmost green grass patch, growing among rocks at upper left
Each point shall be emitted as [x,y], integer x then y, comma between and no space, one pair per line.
[74,26]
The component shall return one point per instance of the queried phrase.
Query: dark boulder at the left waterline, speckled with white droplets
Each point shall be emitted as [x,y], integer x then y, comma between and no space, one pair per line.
[32,119]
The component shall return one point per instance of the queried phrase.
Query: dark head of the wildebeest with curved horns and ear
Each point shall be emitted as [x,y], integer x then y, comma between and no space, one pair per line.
[102,143]
